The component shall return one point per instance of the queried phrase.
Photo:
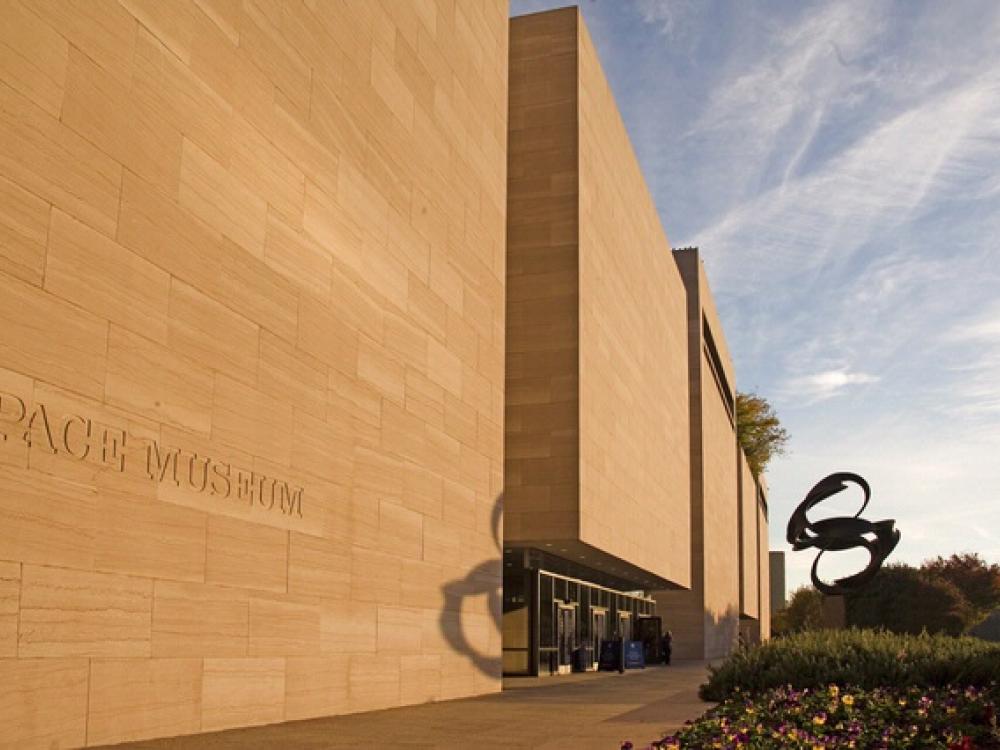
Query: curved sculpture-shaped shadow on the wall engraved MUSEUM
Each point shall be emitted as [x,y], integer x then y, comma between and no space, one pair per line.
[486,578]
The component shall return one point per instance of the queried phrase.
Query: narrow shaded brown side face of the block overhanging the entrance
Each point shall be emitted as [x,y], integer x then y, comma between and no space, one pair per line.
[541,496]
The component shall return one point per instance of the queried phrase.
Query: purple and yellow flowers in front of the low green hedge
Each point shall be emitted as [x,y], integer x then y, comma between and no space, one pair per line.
[949,718]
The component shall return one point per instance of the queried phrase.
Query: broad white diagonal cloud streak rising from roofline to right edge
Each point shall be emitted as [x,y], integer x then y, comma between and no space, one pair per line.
[872,187]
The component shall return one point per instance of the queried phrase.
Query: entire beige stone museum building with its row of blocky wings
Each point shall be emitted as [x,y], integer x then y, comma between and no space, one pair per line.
[314,316]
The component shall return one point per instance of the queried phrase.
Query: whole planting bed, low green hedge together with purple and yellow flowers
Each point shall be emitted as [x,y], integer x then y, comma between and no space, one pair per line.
[858,689]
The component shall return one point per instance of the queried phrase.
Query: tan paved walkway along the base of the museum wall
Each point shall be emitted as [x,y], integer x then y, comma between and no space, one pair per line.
[582,712]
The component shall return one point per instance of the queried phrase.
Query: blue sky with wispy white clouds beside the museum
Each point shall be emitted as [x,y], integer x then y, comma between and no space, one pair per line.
[838,164]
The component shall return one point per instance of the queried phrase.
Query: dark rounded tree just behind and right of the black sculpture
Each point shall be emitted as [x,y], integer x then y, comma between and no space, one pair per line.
[903,599]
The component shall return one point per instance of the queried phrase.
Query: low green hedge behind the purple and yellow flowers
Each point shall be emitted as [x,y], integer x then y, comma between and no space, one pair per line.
[865,658]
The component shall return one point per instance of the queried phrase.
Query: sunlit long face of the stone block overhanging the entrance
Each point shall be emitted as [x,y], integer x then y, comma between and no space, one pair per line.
[634,457]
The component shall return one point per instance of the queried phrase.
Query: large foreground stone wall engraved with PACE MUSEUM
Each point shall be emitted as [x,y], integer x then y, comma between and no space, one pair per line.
[252,283]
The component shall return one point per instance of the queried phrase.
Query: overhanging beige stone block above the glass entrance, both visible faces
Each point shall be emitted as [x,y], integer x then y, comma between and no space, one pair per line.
[597,406]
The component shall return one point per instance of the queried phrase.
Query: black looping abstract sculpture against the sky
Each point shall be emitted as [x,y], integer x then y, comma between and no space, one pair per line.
[841,533]
